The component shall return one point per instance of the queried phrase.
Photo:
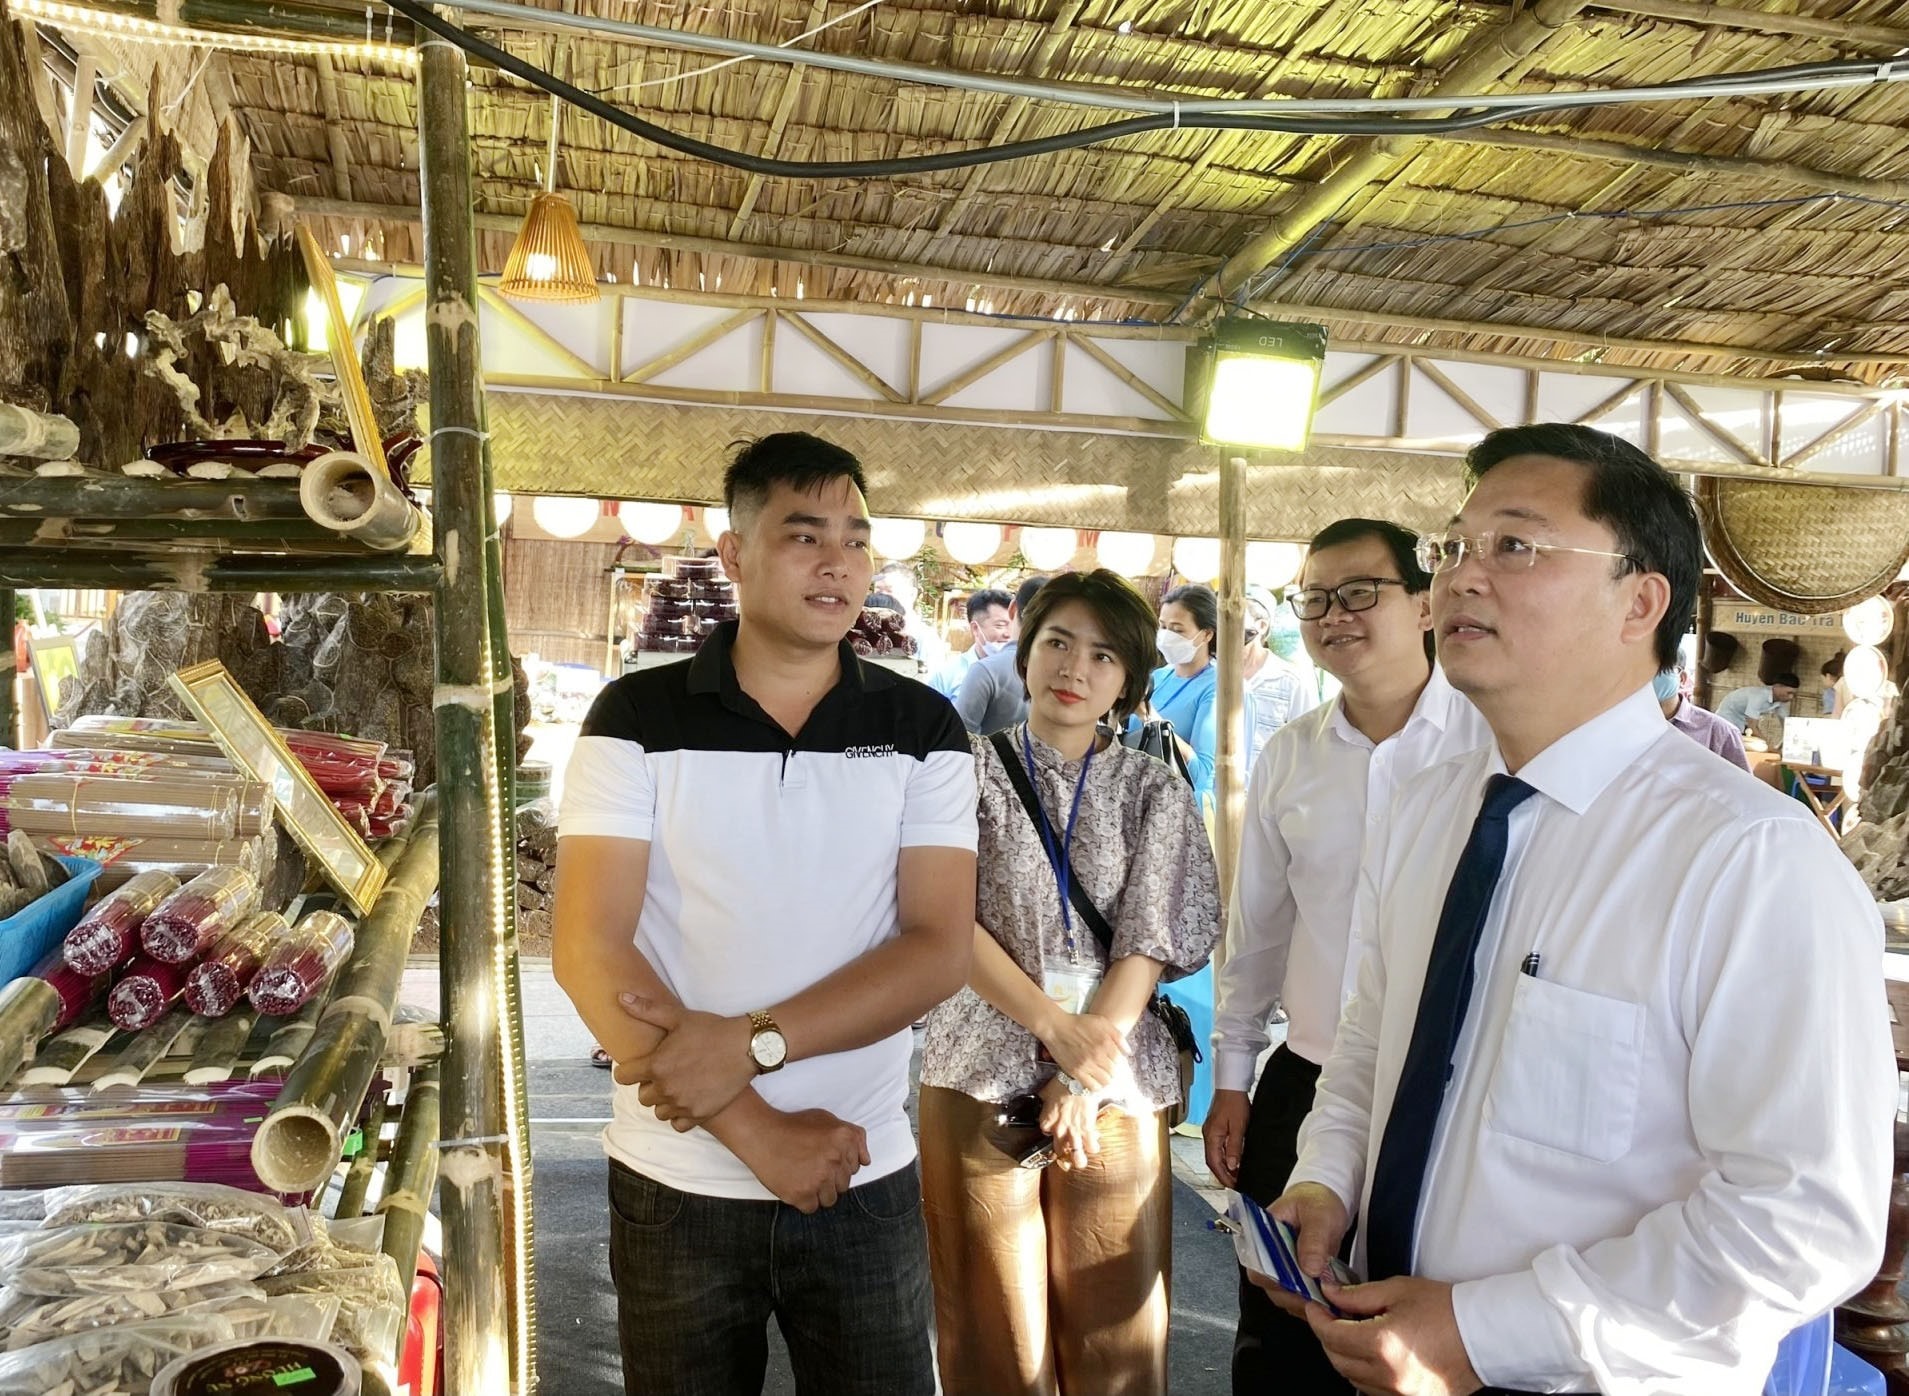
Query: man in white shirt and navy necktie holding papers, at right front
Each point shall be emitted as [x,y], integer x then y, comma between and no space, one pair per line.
[1614,1097]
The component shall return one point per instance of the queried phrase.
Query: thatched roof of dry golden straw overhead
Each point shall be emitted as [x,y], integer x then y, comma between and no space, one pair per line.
[1763,259]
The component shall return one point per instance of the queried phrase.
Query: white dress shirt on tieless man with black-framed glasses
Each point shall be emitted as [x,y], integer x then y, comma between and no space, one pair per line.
[1316,793]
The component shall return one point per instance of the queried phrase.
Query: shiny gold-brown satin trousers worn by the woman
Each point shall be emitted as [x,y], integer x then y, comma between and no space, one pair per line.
[1049,1282]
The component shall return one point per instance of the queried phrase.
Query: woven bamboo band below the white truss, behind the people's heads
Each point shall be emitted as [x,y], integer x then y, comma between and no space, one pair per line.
[635,450]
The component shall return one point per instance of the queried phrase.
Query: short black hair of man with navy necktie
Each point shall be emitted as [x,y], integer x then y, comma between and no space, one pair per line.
[1637,499]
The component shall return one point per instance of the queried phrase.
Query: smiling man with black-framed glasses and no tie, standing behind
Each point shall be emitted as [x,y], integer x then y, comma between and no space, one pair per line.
[1318,790]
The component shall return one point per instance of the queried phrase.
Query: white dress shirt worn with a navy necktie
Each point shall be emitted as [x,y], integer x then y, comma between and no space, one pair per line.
[1671,1145]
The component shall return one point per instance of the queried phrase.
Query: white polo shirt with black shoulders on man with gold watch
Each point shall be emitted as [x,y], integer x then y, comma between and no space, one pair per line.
[772,864]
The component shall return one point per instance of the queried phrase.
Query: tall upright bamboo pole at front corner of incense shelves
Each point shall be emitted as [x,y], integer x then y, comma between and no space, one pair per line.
[478,1338]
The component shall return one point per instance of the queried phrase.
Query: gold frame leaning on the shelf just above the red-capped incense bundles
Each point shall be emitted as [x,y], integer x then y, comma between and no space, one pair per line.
[255,748]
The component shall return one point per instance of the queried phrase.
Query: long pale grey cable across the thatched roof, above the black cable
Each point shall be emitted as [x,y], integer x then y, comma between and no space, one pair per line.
[1183,106]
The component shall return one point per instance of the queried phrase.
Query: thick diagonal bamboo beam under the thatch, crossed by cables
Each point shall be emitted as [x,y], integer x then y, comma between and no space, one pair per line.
[1358,163]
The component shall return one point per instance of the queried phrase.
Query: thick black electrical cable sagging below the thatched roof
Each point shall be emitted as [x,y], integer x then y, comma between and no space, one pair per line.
[1402,127]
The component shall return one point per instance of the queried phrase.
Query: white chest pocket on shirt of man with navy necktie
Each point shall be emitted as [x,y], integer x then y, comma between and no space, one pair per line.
[1568,1070]
